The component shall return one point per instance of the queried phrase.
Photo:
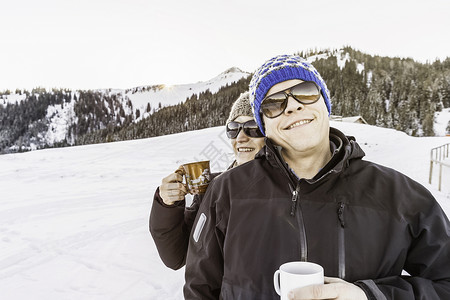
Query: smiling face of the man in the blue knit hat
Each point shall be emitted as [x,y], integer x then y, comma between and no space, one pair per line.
[300,128]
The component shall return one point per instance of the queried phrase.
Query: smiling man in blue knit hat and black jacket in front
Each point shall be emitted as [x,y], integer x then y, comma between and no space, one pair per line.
[309,196]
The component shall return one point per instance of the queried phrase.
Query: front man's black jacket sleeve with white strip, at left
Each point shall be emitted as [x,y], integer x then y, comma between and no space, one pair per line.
[204,264]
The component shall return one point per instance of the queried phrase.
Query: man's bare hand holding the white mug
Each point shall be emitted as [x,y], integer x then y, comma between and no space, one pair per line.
[334,288]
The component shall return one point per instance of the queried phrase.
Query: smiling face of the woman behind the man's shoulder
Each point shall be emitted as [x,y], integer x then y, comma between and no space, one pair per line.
[245,147]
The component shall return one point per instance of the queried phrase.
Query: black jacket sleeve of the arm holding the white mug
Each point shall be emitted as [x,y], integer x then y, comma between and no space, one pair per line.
[428,262]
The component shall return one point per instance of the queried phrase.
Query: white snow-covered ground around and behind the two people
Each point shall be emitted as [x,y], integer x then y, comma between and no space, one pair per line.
[74,221]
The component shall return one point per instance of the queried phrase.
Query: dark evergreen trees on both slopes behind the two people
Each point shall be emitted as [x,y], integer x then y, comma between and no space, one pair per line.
[389,92]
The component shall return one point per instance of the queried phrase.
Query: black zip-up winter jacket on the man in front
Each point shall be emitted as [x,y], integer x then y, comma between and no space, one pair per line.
[362,222]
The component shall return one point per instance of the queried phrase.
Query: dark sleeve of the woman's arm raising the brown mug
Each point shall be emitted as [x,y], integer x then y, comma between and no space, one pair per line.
[169,231]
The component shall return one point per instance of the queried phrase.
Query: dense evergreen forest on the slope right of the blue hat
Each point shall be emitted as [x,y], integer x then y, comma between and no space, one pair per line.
[391,92]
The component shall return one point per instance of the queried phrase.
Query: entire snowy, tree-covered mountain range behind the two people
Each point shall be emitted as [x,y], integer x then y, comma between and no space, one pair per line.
[388,92]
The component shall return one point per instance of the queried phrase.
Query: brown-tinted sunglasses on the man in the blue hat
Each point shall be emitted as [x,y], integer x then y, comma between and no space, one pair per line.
[307,92]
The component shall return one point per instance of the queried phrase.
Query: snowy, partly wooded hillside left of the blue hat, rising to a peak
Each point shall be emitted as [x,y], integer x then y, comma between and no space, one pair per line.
[61,117]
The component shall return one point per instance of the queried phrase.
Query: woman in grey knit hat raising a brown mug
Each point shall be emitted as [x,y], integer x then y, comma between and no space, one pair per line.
[170,221]
